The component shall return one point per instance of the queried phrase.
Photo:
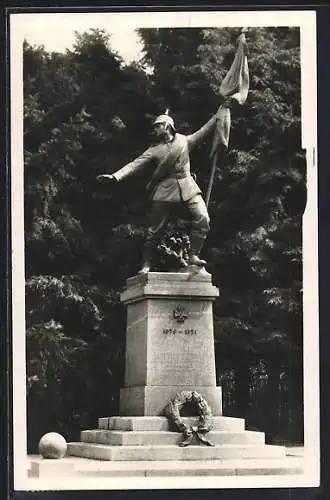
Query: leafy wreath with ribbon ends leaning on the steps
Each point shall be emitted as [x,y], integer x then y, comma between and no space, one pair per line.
[201,407]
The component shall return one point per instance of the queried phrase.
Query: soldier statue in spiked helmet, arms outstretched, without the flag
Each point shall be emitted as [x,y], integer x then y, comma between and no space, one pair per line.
[171,184]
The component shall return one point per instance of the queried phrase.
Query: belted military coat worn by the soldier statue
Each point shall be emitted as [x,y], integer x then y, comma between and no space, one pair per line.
[171,179]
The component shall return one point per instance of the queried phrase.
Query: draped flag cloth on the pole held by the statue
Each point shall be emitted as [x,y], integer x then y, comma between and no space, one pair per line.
[235,85]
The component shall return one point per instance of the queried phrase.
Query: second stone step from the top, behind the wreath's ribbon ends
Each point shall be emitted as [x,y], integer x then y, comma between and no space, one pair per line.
[144,438]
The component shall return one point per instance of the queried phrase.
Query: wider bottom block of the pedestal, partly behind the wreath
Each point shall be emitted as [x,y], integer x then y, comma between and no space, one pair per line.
[151,400]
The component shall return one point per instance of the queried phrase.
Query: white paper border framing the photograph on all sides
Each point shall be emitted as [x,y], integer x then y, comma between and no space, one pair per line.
[306,21]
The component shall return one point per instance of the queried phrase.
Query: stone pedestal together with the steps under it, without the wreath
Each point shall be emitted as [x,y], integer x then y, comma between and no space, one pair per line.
[169,348]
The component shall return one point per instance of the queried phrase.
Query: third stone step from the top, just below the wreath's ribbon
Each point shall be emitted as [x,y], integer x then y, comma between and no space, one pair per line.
[192,452]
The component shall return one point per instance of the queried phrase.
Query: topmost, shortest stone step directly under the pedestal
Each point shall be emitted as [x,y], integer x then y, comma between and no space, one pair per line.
[145,423]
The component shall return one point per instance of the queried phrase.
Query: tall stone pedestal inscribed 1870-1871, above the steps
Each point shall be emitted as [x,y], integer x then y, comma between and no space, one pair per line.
[169,341]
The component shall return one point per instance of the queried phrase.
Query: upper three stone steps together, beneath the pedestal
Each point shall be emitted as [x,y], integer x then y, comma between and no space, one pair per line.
[151,439]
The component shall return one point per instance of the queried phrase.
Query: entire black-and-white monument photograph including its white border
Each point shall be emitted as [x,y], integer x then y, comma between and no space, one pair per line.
[165,327]
